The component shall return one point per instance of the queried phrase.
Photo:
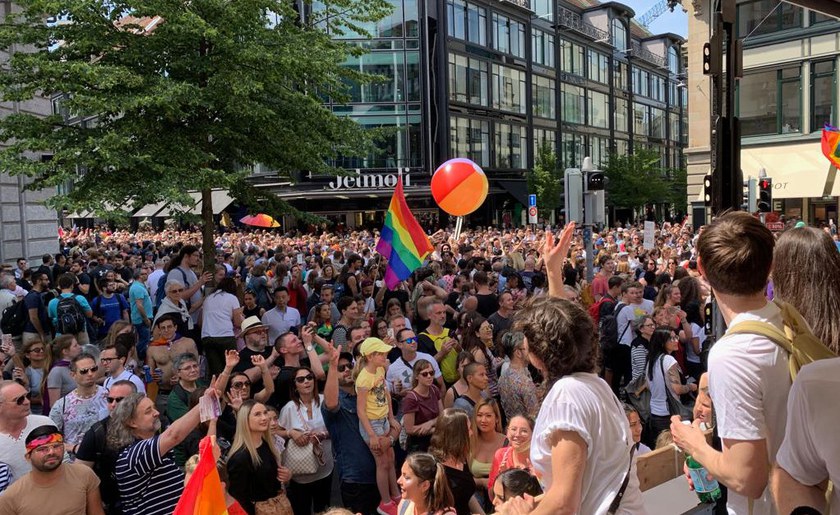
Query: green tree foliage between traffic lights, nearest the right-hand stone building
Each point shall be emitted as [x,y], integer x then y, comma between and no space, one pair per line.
[638,180]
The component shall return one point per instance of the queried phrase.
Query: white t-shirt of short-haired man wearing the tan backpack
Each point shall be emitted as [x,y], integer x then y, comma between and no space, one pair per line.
[749,381]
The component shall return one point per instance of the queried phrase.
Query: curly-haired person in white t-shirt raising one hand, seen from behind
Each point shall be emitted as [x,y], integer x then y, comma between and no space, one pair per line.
[581,446]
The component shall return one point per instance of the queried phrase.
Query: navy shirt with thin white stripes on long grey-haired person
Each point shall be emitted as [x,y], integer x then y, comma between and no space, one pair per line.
[150,484]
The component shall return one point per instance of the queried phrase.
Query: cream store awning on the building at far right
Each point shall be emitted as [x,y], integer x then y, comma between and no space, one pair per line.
[798,171]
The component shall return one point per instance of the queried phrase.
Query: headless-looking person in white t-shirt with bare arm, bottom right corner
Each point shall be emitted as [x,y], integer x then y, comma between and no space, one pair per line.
[810,451]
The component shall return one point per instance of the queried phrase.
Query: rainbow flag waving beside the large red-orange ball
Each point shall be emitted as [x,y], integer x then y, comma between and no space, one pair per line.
[402,241]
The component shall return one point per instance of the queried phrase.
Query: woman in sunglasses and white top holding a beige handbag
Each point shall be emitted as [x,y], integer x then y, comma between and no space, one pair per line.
[302,423]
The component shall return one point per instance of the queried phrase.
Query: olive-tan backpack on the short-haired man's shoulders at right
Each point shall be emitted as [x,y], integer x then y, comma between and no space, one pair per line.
[797,339]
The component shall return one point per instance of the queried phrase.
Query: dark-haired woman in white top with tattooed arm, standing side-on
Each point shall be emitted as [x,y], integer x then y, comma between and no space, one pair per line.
[664,342]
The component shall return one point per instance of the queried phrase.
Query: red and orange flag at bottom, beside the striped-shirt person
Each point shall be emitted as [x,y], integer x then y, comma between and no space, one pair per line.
[204,493]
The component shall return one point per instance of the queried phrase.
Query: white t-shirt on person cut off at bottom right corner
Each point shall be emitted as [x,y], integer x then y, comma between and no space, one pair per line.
[810,452]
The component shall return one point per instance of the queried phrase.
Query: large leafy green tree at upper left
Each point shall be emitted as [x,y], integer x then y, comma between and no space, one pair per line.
[187,102]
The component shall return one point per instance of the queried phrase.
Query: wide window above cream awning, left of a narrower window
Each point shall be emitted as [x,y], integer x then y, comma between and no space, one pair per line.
[769,102]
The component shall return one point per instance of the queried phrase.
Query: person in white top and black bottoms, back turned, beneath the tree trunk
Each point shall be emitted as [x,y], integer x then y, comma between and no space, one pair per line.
[221,313]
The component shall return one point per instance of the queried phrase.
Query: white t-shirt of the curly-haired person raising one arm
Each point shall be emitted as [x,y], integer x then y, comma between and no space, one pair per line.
[585,404]
